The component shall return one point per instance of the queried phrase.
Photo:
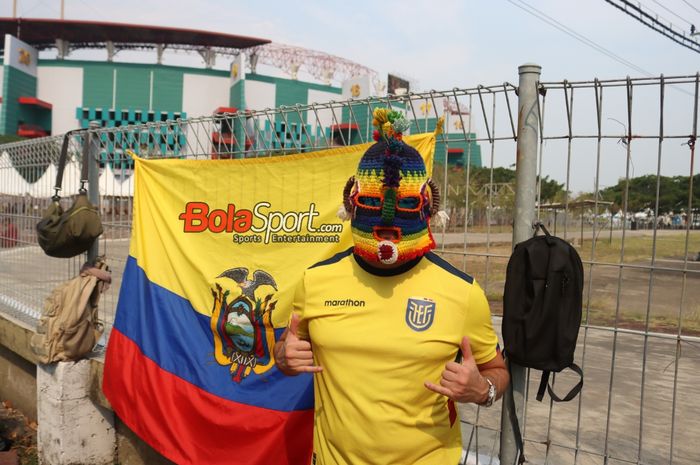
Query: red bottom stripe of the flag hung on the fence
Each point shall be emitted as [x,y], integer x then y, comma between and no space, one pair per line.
[191,426]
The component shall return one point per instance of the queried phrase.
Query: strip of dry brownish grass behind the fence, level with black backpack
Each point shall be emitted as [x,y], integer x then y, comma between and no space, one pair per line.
[662,296]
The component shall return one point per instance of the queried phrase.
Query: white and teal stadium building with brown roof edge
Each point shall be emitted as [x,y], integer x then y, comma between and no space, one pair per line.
[54,94]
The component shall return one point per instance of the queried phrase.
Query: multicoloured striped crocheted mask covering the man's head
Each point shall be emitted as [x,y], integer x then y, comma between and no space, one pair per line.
[389,198]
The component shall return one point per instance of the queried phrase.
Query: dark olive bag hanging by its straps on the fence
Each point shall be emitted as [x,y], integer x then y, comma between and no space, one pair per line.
[68,233]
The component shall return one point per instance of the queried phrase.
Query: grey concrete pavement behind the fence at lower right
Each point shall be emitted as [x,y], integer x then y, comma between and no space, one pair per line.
[655,419]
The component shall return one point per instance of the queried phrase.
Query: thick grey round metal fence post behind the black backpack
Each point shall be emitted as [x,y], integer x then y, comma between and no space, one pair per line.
[525,197]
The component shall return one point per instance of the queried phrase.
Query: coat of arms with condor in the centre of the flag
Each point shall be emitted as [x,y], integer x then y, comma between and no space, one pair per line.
[242,327]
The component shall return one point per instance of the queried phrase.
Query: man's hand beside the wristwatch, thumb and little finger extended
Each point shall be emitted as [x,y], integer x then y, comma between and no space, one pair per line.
[462,382]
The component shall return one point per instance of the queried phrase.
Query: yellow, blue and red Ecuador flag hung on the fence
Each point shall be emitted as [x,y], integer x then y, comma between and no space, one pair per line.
[217,248]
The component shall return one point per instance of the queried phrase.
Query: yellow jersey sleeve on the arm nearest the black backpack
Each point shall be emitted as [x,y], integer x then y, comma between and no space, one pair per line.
[478,326]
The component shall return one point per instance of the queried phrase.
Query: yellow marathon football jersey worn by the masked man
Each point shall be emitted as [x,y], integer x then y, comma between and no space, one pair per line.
[379,334]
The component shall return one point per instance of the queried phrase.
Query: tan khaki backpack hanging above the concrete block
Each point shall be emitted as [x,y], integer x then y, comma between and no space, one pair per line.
[69,327]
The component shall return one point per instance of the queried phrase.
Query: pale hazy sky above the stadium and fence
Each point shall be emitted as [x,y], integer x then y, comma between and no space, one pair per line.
[451,43]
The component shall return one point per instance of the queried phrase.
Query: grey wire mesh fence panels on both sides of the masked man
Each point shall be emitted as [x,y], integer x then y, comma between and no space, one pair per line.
[616,178]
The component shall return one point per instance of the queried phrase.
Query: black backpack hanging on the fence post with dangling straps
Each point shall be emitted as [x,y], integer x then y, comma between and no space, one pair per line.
[542,312]
